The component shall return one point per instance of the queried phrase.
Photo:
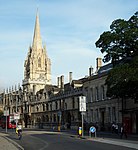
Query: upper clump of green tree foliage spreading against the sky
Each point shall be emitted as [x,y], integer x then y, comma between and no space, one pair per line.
[121,41]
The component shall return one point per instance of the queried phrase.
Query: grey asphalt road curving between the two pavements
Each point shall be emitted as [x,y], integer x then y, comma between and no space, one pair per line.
[43,140]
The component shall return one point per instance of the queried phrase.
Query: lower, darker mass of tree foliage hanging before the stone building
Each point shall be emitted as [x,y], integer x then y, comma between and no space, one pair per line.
[122,80]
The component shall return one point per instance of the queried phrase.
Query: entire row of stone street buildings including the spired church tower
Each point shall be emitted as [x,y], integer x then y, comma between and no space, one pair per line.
[43,105]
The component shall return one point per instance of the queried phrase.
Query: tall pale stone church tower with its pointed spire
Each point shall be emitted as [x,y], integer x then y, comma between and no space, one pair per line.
[37,66]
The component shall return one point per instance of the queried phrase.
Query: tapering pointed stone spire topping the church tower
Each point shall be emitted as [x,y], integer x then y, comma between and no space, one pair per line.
[37,41]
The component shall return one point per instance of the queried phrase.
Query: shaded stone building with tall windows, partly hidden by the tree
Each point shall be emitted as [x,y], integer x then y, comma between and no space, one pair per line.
[102,111]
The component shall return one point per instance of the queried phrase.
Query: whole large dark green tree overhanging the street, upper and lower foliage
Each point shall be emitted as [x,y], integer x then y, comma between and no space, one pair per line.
[121,47]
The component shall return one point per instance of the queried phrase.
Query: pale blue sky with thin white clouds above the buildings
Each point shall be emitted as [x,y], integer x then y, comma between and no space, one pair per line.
[69,28]
